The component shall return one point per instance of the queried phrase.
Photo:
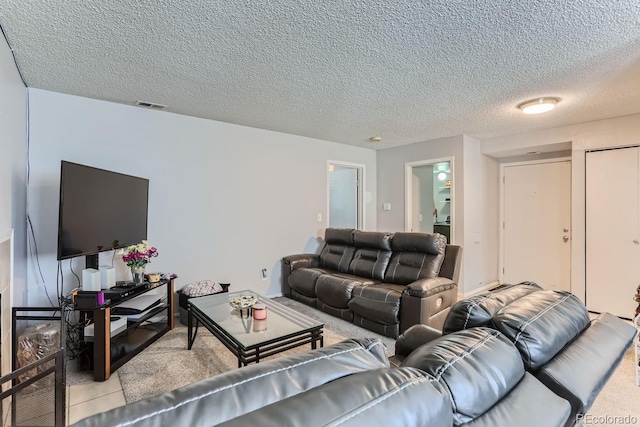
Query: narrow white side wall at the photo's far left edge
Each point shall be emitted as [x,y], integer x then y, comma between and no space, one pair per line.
[13,167]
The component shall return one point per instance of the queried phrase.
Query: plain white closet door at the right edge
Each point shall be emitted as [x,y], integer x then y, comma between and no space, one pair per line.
[612,230]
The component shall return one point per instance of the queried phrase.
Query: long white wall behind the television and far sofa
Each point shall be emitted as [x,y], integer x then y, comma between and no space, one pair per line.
[225,200]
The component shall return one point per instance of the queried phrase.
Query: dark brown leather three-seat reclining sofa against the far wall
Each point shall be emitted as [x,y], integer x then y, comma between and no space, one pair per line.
[384,282]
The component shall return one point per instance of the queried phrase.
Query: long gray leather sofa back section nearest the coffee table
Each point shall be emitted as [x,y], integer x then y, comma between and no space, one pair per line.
[228,395]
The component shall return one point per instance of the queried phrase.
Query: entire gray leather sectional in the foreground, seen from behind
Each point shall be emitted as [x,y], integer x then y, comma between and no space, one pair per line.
[541,363]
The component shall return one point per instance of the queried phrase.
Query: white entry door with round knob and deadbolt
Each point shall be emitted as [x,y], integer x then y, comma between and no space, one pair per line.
[537,222]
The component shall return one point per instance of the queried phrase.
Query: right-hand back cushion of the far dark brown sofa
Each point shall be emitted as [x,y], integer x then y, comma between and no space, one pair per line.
[415,256]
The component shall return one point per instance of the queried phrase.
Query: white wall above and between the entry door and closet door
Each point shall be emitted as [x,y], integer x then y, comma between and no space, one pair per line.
[609,133]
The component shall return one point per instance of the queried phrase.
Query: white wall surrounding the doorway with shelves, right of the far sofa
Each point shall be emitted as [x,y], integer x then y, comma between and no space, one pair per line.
[474,191]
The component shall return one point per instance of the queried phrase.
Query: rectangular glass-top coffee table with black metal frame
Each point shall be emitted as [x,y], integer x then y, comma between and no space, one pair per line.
[250,339]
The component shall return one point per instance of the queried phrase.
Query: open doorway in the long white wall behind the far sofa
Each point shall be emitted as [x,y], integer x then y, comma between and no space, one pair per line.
[345,183]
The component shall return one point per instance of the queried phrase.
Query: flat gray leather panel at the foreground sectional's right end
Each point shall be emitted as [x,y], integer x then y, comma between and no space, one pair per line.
[578,373]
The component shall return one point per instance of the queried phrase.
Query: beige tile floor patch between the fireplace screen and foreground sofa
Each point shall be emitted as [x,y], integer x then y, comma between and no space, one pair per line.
[91,397]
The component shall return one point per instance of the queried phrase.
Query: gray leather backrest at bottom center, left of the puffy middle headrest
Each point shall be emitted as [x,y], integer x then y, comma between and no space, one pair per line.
[386,397]
